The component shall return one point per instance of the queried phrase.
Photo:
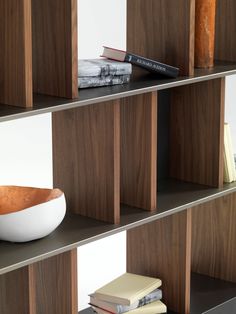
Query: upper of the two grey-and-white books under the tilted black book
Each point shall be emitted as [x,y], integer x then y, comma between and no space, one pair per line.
[103,67]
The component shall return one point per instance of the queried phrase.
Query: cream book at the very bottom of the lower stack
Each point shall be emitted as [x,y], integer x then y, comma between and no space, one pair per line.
[152,308]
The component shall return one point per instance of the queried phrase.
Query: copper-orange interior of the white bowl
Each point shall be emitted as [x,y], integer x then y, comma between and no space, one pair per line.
[14,198]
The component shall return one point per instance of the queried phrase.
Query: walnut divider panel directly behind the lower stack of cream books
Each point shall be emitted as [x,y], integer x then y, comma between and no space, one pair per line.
[163,249]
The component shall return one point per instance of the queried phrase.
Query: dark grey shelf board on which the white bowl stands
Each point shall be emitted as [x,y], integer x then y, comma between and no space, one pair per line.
[173,196]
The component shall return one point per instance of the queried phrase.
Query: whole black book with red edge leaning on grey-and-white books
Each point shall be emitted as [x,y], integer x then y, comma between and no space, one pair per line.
[147,64]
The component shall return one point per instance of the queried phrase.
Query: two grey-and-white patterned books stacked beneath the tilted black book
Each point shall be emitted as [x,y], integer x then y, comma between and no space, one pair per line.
[103,72]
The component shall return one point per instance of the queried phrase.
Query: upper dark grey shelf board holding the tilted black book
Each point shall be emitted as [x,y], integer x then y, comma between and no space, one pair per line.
[148,83]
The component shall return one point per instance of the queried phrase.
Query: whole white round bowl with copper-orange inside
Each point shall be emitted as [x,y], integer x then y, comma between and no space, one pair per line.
[28,214]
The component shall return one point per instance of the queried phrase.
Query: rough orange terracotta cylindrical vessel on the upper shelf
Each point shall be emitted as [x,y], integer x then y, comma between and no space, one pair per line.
[205,33]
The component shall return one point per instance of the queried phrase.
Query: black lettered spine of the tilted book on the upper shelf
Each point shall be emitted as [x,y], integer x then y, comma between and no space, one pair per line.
[152,65]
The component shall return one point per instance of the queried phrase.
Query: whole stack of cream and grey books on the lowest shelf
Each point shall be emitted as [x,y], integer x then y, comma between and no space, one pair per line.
[129,293]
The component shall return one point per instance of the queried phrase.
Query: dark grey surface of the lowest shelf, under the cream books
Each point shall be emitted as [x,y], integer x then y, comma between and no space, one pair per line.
[208,296]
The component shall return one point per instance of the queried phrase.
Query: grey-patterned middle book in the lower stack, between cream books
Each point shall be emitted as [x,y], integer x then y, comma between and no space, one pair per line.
[155,295]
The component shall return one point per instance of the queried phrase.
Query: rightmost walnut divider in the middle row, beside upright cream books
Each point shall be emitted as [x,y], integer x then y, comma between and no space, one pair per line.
[196,132]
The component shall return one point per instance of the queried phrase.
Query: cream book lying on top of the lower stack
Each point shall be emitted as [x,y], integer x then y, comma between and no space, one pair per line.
[127,289]
